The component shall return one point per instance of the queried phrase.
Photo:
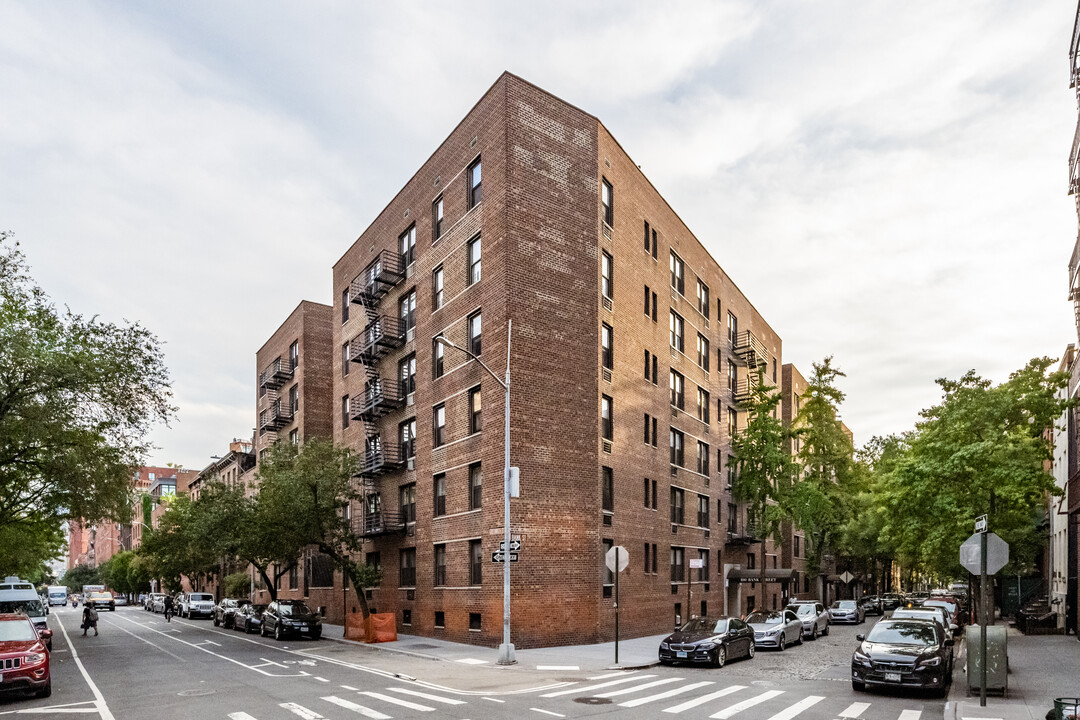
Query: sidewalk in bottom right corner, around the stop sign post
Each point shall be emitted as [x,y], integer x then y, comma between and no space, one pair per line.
[1042,668]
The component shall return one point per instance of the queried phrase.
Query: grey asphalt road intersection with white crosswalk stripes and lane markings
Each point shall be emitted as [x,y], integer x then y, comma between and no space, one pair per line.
[142,668]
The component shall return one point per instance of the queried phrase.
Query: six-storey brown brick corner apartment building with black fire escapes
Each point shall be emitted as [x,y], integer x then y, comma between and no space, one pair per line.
[631,349]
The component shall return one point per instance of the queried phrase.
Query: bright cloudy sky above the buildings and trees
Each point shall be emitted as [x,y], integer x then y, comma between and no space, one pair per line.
[886,182]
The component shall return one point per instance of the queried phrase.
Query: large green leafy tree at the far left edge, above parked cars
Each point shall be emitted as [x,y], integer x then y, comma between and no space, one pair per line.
[77,400]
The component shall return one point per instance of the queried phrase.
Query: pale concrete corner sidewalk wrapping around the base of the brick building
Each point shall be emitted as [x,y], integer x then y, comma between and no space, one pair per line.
[633,654]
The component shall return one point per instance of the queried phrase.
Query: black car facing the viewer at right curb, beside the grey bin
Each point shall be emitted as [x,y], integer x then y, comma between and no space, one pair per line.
[903,654]
